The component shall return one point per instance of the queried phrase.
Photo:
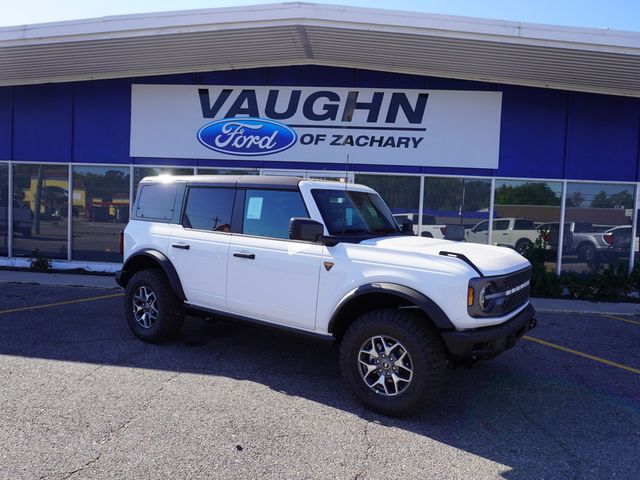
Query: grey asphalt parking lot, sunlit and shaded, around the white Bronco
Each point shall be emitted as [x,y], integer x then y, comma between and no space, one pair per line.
[82,398]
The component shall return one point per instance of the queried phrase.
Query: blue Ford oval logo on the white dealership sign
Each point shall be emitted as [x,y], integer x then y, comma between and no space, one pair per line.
[247,136]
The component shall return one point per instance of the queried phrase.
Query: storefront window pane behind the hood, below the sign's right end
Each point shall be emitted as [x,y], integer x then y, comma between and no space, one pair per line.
[456,209]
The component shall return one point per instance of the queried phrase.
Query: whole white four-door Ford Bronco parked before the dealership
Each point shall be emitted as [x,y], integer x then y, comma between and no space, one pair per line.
[327,259]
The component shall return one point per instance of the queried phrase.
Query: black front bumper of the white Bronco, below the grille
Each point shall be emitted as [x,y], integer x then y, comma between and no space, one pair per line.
[487,342]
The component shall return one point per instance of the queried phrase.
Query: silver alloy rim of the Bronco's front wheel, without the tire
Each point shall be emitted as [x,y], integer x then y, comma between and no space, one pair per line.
[385,365]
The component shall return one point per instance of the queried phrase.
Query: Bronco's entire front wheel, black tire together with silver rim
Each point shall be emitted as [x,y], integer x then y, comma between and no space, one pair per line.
[393,361]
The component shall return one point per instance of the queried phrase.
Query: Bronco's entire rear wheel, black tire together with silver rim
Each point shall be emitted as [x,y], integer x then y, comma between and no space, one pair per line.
[153,311]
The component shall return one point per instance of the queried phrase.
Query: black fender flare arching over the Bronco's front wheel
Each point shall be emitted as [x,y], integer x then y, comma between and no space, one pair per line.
[428,306]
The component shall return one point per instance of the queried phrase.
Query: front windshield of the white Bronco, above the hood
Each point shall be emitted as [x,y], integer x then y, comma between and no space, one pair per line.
[354,213]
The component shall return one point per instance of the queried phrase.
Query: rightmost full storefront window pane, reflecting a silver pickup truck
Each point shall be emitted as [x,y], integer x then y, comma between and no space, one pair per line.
[598,221]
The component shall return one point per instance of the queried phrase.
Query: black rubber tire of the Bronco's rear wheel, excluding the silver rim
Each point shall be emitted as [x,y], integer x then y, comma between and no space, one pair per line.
[170,312]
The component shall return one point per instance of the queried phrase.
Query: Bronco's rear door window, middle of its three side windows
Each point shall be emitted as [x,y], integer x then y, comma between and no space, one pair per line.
[209,208]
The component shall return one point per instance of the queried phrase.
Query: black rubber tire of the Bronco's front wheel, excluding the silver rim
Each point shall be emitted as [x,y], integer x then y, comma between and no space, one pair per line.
[420,340]
